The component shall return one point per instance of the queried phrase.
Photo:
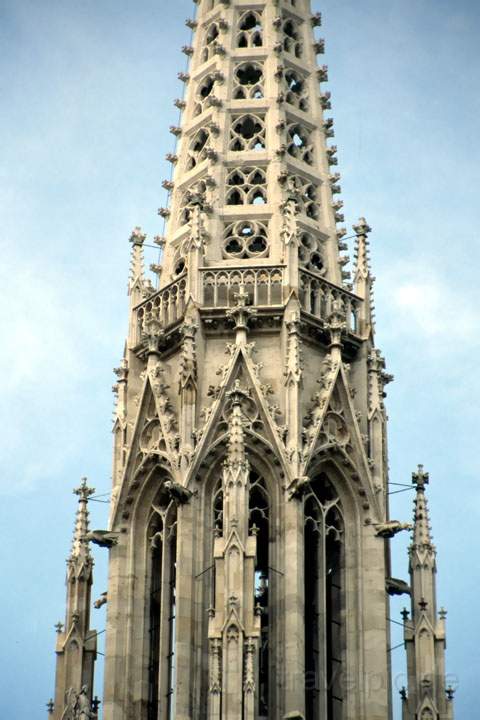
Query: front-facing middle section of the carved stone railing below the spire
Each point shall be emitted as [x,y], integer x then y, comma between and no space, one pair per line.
[264,285]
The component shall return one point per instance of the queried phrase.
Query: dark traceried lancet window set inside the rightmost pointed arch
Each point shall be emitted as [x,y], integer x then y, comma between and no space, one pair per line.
[324,602]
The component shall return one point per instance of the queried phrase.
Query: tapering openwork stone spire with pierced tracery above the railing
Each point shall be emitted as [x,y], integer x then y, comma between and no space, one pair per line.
[253,156]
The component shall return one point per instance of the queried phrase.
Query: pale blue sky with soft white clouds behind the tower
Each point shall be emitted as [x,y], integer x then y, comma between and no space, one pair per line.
[87,94]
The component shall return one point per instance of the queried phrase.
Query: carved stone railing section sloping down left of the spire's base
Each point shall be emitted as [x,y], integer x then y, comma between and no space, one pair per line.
[166,306]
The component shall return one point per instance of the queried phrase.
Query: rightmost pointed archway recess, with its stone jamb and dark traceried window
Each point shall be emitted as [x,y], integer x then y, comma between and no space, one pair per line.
[331,517]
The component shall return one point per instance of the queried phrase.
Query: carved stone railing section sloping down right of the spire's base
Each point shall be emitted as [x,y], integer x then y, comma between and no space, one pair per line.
[318,295]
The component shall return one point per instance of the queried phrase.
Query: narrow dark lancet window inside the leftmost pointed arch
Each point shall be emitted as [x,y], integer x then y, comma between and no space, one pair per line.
[162,610]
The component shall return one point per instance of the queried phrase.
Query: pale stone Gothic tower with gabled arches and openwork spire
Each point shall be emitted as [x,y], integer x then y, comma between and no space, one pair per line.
[249,529]
